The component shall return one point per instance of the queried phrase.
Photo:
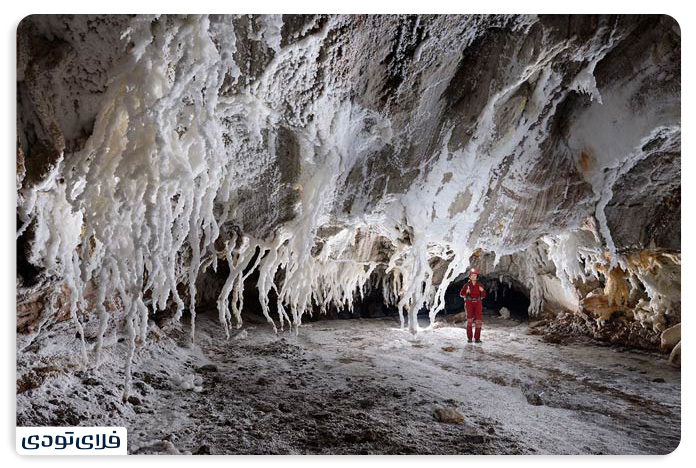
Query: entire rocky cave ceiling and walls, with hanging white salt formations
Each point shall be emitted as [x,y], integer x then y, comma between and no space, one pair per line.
[336,155]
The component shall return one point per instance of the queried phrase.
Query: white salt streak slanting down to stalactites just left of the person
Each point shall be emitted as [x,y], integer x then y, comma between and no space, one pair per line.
[482,155]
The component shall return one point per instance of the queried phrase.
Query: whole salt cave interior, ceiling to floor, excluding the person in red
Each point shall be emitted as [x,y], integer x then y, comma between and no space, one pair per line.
[247,233]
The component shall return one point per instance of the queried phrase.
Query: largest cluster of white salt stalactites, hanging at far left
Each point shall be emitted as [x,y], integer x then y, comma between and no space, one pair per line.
[143,195]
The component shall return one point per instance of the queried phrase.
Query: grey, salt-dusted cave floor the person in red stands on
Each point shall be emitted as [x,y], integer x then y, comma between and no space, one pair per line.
[366,386]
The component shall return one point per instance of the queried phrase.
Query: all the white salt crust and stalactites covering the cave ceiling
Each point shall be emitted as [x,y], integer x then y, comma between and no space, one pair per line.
[183,130]
